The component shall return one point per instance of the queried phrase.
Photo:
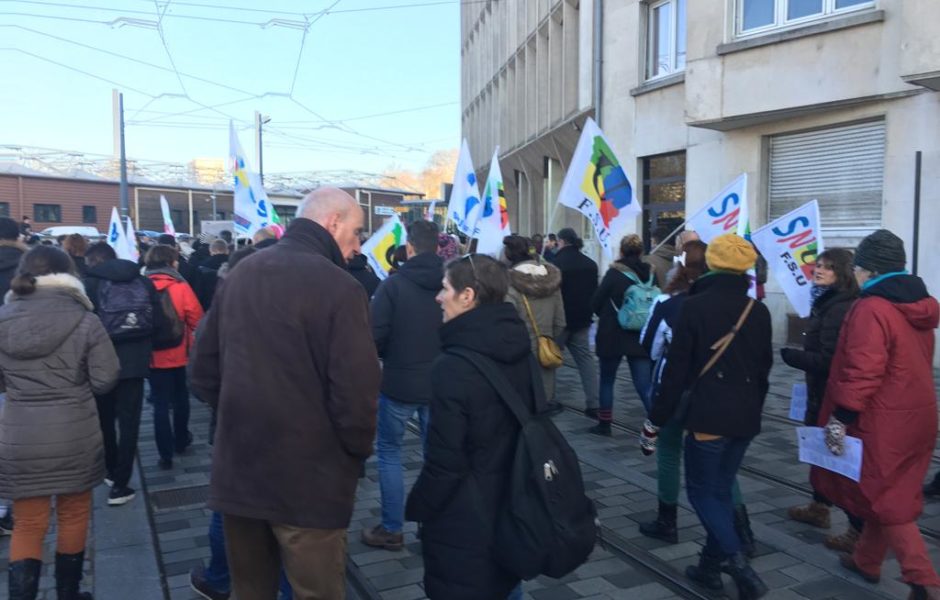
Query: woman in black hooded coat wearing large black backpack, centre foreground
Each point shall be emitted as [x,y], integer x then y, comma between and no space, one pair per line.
[472,436]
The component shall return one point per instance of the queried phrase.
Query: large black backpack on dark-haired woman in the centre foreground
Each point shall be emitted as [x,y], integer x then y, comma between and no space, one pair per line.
[549,524]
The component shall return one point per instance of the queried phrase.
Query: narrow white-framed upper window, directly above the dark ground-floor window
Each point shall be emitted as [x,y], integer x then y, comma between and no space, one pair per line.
[665,46]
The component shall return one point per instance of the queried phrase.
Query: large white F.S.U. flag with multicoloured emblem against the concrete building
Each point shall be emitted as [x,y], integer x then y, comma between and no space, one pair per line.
[597,187]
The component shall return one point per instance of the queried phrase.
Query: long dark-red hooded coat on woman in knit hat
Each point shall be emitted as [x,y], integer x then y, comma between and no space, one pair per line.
[882,370]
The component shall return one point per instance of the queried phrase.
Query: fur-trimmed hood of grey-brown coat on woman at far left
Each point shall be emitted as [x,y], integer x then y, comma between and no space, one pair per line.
[36,325]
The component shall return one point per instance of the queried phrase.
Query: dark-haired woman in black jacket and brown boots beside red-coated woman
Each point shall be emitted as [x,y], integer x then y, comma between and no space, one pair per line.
[834,292]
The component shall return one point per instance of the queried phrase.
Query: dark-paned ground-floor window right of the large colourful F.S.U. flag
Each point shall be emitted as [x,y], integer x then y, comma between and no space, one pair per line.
[663,193]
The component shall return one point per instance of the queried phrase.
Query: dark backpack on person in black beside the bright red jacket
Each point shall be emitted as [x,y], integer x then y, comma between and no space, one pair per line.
[125,309]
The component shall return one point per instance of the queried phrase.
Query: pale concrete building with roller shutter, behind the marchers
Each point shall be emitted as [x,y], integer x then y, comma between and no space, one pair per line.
[826,99]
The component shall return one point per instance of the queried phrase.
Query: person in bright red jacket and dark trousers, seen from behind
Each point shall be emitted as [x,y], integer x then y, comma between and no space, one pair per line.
[168,366]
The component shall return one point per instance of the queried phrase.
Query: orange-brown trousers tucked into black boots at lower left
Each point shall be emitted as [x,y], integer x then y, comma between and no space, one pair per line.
[32,522]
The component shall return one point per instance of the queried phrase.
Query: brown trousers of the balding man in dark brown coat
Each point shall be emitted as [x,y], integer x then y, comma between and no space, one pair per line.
[314,559]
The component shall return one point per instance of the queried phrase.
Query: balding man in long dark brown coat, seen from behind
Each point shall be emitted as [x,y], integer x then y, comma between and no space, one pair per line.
[288,360]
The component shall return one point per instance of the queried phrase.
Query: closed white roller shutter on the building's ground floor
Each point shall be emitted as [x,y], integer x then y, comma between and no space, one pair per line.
[842,167]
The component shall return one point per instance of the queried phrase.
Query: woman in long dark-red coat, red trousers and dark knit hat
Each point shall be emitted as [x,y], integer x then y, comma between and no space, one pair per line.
[881,390]
